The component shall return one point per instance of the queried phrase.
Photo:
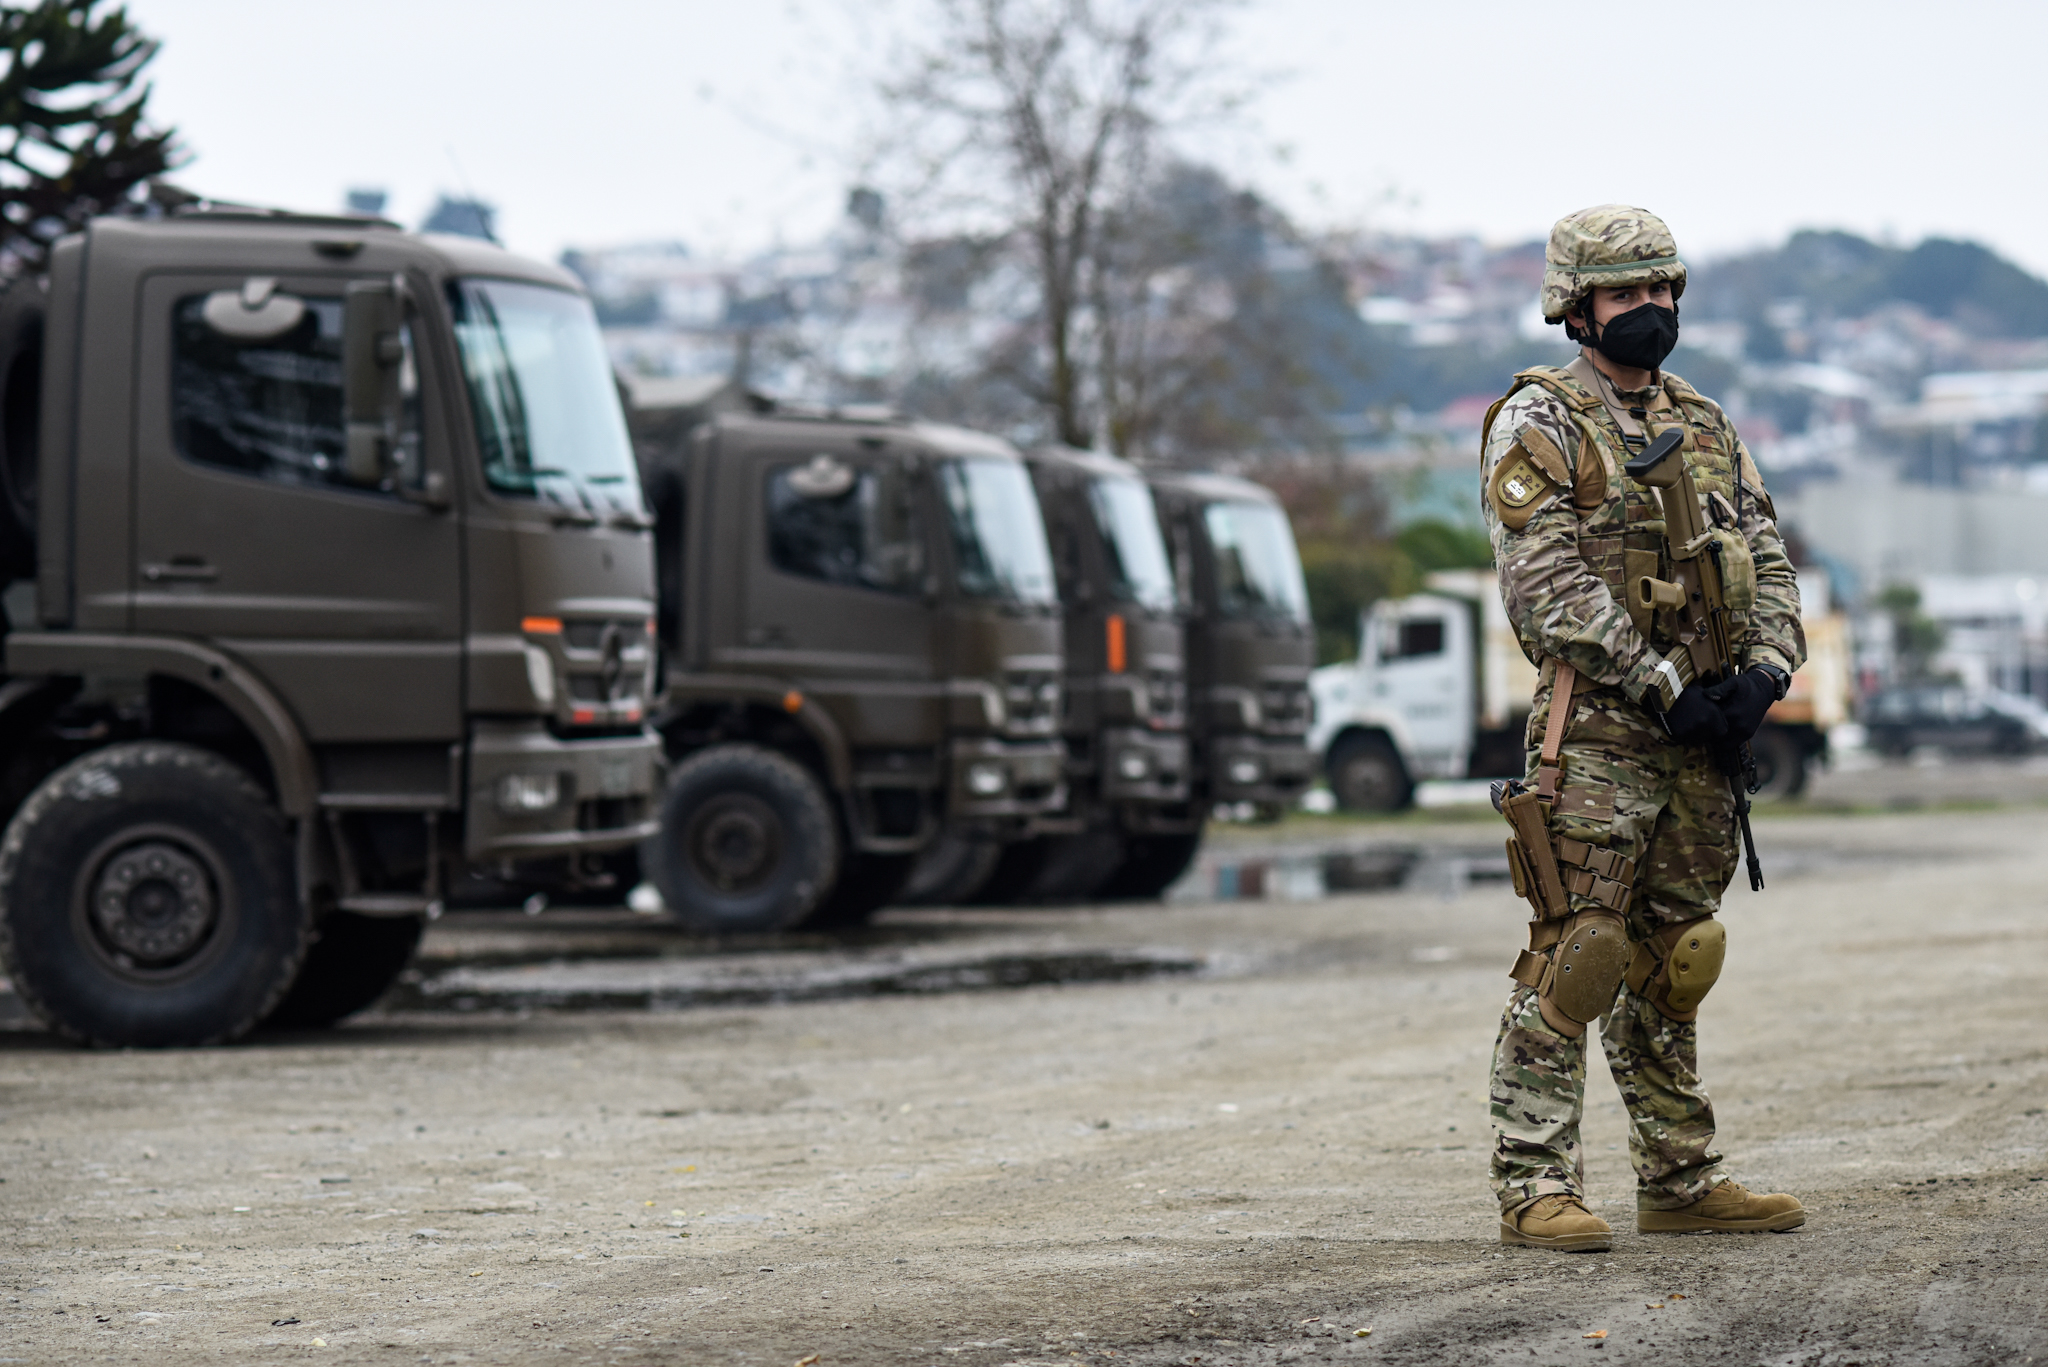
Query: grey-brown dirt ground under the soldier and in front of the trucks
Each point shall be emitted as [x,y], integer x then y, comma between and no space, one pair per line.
[1277,1157]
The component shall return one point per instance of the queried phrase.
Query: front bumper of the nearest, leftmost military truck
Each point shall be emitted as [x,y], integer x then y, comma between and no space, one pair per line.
[605,792]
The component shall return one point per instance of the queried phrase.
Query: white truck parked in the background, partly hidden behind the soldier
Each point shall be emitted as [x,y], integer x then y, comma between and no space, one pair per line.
[1441,690]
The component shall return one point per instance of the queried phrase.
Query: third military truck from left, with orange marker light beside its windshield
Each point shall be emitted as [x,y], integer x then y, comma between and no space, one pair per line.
[1125,722]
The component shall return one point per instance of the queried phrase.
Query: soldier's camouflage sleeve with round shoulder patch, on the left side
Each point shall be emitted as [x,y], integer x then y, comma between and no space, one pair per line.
[1551,595]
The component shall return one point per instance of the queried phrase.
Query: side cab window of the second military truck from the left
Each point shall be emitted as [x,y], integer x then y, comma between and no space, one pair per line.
[849,526]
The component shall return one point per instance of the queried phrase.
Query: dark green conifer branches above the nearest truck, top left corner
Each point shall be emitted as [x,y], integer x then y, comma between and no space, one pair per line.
[73,124]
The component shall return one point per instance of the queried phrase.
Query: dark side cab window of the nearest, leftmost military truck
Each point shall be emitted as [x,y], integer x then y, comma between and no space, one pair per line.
[273,407]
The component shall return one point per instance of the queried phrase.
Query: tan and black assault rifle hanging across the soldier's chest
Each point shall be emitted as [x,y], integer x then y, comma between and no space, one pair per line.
[1699,604]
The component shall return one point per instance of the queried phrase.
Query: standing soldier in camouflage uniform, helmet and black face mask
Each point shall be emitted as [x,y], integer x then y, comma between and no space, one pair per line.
[1639,817]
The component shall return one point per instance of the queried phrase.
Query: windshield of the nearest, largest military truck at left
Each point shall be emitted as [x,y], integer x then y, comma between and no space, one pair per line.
[542,390]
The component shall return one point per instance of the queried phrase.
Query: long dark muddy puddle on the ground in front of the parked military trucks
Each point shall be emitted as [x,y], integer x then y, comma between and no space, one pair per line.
[753,981]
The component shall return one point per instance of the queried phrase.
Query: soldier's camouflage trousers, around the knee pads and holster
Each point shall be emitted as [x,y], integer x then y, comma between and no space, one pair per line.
[1631,790]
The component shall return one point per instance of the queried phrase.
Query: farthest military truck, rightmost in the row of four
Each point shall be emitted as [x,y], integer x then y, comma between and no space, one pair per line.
[1250,651]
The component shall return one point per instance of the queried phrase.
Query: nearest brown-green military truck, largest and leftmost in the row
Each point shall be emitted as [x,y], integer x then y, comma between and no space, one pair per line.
[329,587]
